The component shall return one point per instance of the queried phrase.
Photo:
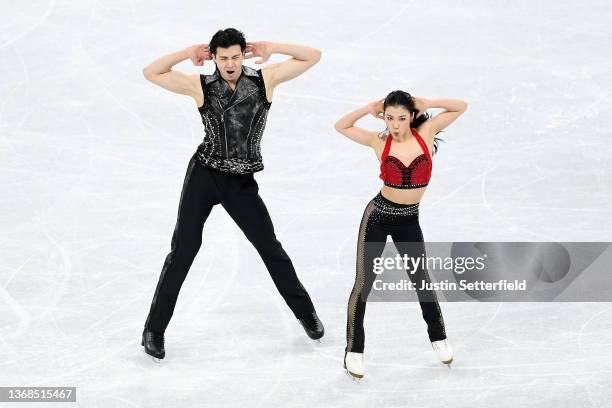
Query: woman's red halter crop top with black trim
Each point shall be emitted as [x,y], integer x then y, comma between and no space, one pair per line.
[415,175]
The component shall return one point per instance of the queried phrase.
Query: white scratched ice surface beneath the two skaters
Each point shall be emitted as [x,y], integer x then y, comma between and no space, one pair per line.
[93,158]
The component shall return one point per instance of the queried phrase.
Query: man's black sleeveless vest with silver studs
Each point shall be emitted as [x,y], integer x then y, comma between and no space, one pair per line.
[234,122]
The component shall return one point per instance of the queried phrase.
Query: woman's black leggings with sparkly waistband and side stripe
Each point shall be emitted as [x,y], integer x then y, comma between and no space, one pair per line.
[381,218]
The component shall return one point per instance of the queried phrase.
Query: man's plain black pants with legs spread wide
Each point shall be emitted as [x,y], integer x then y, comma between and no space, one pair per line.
[238,194]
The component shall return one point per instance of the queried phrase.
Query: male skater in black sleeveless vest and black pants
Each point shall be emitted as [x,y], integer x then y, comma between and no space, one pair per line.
[233,103]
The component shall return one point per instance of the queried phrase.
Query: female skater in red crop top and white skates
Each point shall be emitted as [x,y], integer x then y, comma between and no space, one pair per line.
[405,164]
